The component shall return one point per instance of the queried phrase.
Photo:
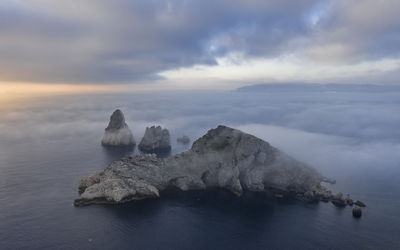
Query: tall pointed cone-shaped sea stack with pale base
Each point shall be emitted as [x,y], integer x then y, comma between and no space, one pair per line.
[117,132]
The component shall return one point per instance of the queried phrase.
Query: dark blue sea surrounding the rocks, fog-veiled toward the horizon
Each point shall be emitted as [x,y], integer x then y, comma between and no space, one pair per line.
[48,143]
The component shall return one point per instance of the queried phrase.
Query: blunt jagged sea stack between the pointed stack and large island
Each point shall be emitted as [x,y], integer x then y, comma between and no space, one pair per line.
[155,139]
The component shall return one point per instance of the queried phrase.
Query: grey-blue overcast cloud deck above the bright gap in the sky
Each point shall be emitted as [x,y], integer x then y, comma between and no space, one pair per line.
[128,41]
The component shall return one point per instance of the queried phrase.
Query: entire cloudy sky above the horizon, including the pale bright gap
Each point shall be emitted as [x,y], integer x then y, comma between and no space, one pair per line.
[99,45]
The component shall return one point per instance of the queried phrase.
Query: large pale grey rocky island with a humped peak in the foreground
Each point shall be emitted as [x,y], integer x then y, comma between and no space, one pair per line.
[223,158]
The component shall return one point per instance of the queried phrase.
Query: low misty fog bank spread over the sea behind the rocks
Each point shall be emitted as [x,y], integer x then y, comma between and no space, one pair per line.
[337,132]
